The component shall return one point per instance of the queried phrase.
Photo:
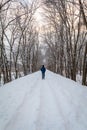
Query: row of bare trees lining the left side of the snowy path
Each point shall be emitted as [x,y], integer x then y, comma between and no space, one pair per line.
[19,48]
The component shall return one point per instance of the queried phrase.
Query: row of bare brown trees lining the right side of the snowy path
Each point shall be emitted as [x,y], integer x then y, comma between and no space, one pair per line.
[66,37]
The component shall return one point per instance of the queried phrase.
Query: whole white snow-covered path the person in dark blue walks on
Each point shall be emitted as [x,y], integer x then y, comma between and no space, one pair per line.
[30,103]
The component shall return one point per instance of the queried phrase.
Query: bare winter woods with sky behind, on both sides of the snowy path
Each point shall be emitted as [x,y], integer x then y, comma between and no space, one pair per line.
[60,42]
